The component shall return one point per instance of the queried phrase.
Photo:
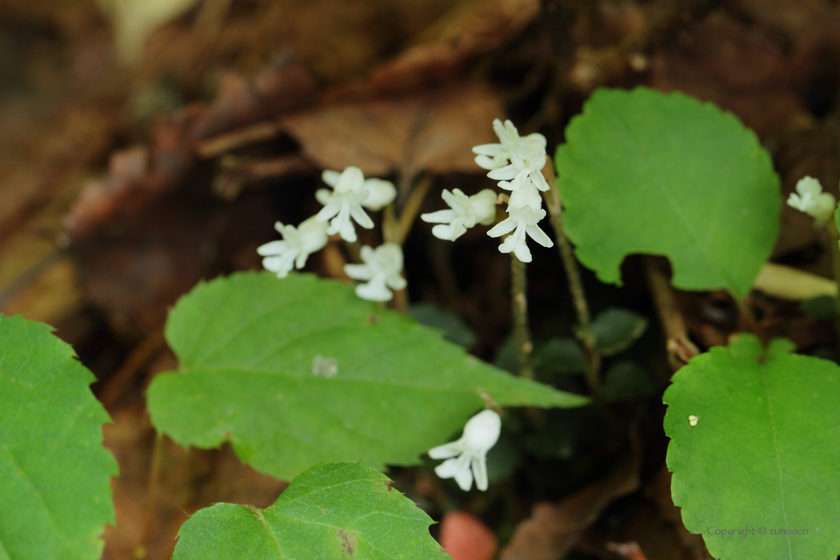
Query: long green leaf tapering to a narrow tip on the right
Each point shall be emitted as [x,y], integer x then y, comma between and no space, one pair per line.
[250,346]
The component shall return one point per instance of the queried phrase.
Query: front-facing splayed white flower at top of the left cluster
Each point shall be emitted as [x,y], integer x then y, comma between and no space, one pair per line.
[344,202]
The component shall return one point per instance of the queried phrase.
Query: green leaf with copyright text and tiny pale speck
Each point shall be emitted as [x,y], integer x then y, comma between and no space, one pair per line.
[763,453]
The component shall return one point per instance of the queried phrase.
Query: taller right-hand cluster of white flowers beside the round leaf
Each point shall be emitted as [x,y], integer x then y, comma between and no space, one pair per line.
[517,163]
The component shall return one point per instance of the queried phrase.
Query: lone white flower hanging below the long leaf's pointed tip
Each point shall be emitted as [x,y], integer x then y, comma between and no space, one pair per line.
[467,457]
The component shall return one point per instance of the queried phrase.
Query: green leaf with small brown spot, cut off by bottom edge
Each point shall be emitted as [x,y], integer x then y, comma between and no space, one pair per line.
[338,510]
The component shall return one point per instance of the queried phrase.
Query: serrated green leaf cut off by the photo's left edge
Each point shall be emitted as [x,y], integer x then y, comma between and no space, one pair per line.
[55,495]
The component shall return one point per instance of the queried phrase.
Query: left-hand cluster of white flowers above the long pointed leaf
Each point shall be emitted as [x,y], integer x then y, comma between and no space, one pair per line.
[346,204]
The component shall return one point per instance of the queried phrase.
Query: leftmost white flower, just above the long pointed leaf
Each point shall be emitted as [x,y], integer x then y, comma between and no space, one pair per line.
[298,243]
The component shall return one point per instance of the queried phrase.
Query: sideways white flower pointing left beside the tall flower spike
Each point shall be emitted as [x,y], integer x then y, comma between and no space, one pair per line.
[465,211]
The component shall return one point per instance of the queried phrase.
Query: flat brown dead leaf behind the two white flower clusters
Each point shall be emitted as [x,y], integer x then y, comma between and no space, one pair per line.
[432,132]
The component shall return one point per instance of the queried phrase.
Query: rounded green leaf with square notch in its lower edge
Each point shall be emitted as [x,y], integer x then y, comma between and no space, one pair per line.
[664,174]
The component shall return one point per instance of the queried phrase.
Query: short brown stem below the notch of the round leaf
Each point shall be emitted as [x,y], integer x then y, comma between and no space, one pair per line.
[679,346]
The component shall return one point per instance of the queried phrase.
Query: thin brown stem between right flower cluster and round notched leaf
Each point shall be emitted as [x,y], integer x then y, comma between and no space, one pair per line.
[587,336]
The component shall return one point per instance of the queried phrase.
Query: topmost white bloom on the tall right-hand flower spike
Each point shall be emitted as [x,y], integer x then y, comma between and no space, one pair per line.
[516,161]
